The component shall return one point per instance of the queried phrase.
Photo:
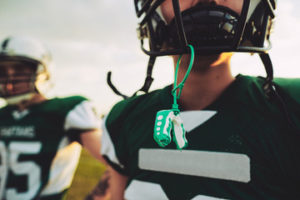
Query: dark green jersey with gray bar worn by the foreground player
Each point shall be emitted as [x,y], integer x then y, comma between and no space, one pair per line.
[239,147]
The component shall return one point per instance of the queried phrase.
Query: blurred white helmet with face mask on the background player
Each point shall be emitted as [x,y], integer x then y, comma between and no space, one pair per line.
[26,51]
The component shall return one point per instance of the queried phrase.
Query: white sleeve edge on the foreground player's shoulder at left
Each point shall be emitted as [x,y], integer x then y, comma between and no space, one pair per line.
[107,146]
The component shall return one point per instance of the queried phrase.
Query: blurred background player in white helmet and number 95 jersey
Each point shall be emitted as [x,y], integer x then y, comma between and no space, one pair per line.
[38,152]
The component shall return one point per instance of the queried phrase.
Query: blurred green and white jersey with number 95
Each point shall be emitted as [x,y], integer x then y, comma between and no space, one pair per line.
[38,155]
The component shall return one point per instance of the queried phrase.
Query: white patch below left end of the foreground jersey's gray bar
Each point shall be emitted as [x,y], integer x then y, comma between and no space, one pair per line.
[138,190]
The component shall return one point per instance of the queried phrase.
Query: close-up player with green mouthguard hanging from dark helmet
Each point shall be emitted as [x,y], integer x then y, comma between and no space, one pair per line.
[227,137]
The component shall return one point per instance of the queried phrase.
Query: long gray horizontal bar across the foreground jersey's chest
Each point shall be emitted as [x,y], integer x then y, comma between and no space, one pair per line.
[219,165]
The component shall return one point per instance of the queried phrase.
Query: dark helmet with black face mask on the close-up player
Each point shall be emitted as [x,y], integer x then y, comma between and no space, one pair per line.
[209,28]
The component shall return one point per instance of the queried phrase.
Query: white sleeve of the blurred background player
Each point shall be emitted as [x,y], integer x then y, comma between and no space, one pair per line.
[82,116]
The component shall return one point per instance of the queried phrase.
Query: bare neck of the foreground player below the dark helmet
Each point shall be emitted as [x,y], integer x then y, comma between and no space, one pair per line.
[204,86]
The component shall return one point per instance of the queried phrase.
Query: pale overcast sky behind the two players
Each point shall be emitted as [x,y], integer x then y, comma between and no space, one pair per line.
[88,38]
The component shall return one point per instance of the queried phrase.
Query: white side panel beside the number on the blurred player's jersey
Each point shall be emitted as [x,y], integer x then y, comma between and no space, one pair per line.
[63,167]
